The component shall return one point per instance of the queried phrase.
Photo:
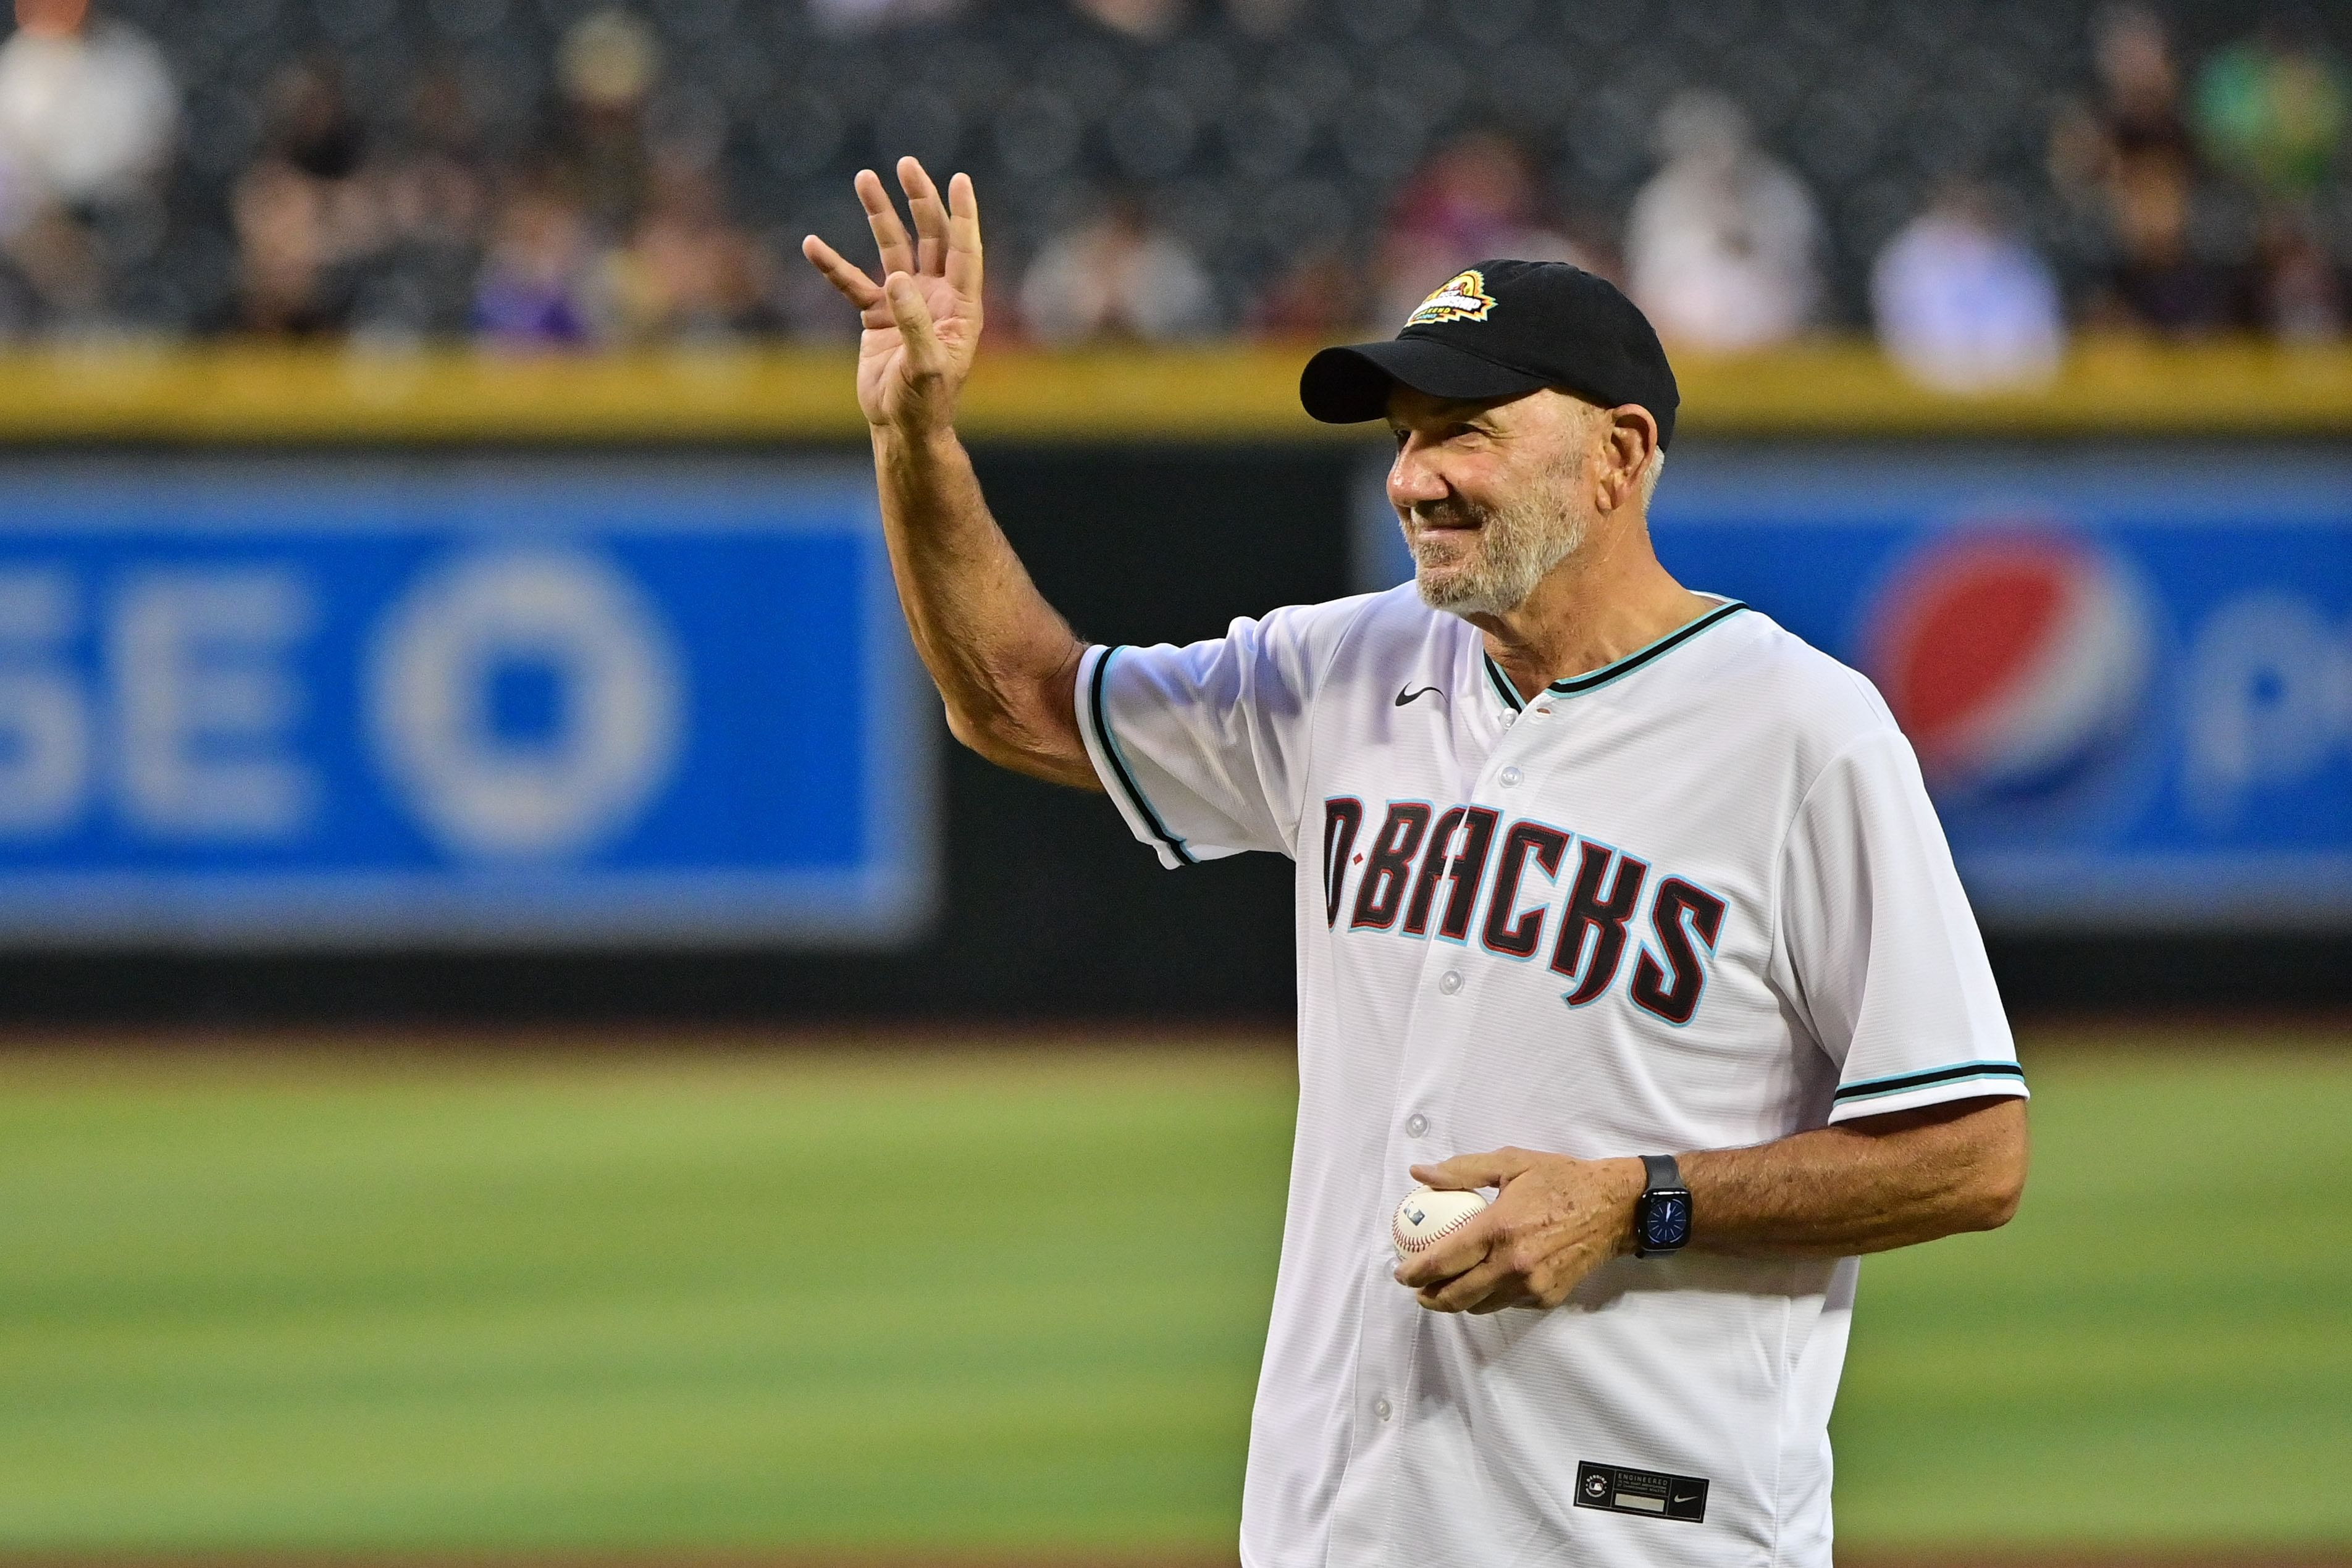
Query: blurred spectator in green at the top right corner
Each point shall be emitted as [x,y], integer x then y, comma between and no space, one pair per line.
[2273,112]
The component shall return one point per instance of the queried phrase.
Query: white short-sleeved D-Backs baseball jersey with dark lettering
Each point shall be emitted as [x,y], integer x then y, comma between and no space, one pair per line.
[1697,899]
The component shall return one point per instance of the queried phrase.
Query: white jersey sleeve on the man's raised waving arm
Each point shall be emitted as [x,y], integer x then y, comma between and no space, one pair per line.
[1205,746]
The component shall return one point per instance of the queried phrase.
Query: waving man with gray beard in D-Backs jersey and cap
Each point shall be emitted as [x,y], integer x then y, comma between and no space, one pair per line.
[1615,902]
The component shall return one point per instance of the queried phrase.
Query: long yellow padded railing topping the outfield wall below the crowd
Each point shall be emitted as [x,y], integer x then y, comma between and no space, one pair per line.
[375,396]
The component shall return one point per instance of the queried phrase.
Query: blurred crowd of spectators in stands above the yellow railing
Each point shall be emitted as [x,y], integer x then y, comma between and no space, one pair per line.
[587,201]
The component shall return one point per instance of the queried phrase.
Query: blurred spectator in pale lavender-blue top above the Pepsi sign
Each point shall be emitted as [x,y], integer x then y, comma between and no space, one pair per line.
[1963,302]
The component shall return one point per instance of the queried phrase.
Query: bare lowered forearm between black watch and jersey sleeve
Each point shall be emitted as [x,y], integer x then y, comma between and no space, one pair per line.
[1864,1188]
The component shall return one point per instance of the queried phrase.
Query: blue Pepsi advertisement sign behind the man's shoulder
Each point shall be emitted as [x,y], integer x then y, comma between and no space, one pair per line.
[2130,678]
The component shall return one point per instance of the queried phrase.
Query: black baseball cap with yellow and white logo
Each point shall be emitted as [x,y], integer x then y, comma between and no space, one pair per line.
[1499,330]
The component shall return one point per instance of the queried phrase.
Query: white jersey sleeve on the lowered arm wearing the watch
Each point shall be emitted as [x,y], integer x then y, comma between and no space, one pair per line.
[1878,949]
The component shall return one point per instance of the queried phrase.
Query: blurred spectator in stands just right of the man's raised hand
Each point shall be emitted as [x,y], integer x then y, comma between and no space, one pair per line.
[1118,279]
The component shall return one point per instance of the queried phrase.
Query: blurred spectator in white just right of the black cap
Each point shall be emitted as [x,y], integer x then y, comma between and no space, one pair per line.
[1723,243]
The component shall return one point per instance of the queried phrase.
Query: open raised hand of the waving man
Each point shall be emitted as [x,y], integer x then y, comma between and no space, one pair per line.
[923,321]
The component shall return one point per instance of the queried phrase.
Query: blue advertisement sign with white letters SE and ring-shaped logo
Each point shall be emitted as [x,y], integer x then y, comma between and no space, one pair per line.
[307,704]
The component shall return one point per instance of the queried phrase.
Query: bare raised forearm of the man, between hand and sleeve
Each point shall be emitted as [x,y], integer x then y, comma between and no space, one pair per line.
[1003,662]
